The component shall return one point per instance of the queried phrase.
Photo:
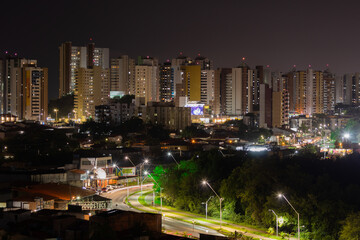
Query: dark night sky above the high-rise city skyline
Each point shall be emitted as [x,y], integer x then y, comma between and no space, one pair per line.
[278,33]
